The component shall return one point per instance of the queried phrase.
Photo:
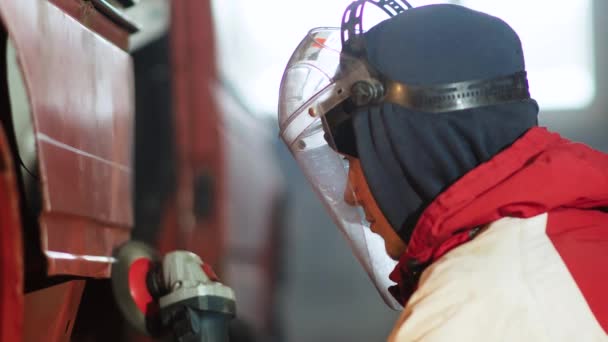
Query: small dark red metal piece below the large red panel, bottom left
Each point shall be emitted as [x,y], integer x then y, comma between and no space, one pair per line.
[51,312]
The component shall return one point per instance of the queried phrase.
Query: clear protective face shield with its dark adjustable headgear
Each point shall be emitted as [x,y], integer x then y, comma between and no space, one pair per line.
[327,78]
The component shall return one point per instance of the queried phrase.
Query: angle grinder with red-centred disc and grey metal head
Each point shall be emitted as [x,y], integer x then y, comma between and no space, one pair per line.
[177,295]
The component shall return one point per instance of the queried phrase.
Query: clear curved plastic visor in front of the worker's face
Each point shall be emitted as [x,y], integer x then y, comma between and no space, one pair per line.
[317,79]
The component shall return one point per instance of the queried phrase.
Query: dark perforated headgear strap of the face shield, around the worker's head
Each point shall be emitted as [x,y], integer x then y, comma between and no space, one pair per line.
[436,98]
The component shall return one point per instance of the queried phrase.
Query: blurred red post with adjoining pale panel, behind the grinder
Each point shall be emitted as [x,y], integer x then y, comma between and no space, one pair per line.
[214,135]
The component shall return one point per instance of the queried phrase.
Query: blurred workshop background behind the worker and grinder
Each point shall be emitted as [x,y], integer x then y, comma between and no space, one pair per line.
[207,75]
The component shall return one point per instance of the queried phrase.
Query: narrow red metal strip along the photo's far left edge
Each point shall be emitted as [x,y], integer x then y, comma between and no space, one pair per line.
[11,255]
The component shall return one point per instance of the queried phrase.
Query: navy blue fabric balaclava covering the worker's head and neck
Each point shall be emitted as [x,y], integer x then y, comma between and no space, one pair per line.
[410,157]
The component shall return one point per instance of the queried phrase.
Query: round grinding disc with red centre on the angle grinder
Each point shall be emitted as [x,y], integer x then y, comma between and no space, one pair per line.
[133,262]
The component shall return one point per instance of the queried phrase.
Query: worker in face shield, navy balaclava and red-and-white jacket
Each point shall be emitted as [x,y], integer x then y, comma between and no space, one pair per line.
[421,139]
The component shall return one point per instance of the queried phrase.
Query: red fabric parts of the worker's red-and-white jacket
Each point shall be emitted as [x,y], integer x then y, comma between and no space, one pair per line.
[540,174]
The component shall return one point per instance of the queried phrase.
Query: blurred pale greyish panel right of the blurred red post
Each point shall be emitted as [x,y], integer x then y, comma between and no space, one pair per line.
[253,195]
